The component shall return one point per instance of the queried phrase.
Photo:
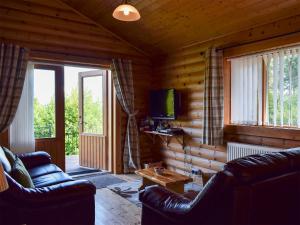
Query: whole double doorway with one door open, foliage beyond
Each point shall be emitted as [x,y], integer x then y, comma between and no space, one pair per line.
[75,117]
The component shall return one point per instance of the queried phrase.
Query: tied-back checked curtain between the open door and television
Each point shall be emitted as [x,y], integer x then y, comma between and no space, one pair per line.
[123,82]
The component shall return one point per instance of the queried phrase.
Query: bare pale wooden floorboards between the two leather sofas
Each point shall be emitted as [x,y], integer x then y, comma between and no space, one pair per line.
[111,209]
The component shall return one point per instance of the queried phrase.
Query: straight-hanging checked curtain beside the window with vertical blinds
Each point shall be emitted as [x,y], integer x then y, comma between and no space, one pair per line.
[213,98]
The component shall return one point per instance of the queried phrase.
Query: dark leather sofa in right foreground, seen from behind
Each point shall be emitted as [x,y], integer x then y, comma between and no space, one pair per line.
[258,189]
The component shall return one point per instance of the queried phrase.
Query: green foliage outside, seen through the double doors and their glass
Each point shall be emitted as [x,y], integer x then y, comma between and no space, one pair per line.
[44,119]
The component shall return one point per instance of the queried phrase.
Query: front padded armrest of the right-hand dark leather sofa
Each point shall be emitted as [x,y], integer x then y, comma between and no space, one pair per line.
[163,201]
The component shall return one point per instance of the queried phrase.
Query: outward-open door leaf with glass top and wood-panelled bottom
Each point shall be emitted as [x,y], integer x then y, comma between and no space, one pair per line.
[93,119]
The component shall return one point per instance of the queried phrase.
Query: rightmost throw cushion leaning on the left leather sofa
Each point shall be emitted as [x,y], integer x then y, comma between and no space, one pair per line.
[20,174]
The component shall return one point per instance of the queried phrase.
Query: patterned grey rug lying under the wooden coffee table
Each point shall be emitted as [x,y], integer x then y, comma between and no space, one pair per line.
[129,190]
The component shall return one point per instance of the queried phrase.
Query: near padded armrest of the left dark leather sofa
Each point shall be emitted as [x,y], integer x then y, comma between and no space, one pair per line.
[55,194]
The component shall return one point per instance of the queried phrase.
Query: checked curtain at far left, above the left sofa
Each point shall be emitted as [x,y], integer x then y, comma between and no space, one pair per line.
[13,63]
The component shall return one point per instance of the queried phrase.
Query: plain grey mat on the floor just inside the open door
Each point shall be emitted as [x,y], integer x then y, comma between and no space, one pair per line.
[101,180]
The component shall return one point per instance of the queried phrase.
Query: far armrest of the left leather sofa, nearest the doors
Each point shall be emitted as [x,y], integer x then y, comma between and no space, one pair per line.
[33,159]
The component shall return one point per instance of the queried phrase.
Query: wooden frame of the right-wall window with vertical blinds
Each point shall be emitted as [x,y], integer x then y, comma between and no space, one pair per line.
[256,134]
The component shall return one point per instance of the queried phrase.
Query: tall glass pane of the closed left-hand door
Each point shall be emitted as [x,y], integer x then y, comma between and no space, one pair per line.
[44,103]
